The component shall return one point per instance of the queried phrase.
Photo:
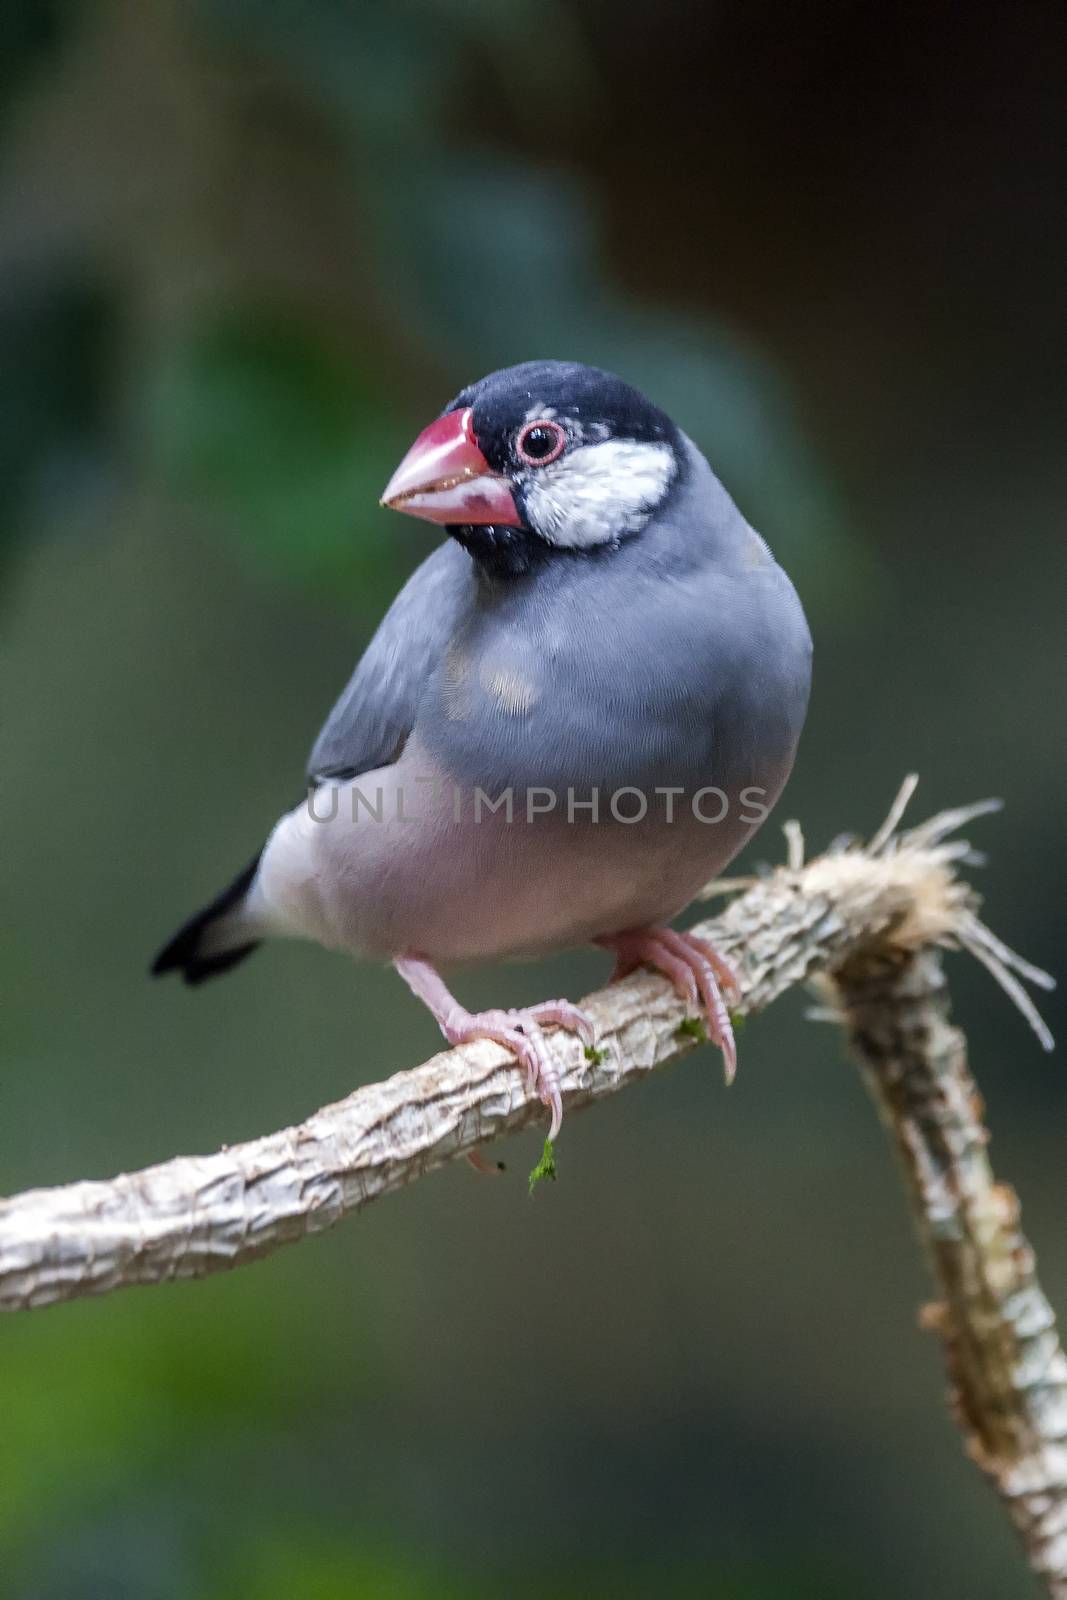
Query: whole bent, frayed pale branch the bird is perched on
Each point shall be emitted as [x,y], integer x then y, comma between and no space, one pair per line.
[865,924]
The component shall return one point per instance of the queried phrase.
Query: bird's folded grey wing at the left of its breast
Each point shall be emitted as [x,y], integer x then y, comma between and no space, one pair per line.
[370,724]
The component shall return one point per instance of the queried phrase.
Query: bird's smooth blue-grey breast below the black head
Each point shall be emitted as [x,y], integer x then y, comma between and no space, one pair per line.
[679,658]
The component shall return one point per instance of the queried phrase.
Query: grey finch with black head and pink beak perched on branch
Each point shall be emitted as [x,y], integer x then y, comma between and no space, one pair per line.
[573,716]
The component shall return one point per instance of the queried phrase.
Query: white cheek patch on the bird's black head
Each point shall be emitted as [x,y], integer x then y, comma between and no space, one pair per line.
[597,494]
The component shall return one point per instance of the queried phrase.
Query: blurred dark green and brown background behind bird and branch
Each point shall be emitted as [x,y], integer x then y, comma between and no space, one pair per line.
[247,250]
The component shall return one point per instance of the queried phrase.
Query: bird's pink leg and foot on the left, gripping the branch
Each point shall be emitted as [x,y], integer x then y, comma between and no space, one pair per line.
[519,1031]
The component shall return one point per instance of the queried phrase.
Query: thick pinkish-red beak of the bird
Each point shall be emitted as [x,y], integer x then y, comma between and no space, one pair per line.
[447,479]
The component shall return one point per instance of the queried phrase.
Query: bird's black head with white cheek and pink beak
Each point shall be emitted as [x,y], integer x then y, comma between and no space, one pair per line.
[540,460]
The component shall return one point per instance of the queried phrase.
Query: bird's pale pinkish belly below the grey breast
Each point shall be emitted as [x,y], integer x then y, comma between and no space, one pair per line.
[407,868]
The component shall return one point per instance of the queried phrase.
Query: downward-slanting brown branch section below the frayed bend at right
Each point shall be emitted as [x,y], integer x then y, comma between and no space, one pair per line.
[1007,1370]
